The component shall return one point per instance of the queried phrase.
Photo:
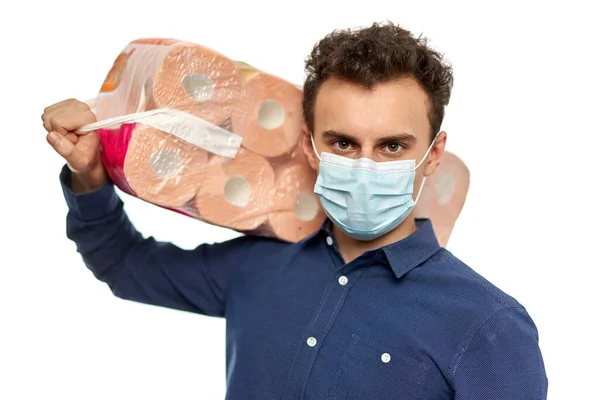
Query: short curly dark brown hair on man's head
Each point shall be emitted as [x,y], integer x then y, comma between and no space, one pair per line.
[378,54]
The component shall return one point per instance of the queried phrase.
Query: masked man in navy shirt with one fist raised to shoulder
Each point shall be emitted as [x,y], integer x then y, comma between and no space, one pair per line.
[370,306]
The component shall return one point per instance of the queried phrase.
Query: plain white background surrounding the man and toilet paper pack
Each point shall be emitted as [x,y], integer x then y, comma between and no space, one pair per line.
[523,116]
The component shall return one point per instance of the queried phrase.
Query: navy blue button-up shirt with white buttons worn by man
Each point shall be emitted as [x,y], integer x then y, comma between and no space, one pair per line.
[407,321]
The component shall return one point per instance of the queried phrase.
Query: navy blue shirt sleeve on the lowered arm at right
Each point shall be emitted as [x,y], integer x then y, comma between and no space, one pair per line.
[502,361]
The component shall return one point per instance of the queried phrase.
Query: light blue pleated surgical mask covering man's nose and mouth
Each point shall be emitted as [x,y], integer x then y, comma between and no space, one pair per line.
[366,199]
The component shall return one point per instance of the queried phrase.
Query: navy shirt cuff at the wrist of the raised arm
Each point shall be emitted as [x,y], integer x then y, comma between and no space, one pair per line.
[94,205]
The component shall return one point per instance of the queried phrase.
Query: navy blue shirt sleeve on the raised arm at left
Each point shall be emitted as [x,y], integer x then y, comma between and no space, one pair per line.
[143,269]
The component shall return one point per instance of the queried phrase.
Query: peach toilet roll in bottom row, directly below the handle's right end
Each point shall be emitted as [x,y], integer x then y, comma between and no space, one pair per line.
[237,193]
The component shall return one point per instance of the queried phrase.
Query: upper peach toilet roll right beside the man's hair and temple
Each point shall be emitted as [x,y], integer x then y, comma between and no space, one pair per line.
[267,113]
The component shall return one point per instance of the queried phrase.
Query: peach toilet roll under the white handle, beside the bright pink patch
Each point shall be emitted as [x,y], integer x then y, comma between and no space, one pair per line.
[163,169]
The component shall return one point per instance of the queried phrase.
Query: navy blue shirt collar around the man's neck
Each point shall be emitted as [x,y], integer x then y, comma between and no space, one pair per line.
[406,254]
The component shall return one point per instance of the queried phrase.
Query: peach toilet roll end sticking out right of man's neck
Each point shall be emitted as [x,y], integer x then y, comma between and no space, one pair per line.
[444,195]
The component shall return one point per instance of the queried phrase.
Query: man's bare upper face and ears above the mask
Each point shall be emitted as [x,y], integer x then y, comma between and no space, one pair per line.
[387,123]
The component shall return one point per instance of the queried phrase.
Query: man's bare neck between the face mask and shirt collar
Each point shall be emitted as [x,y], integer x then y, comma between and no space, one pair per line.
[351,248]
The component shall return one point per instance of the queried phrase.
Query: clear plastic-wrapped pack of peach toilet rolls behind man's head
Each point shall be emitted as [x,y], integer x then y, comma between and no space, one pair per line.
[186,128]
